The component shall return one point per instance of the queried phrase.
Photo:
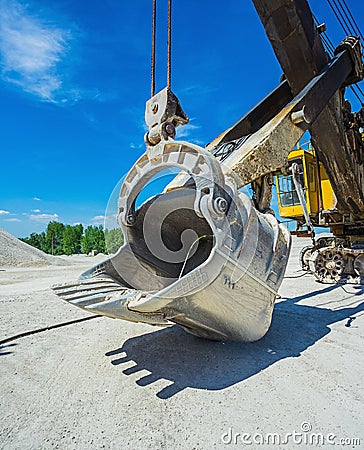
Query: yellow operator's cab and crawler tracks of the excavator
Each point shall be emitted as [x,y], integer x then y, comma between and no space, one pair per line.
[344,252]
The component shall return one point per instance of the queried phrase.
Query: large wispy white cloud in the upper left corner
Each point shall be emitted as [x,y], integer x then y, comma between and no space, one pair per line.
[32,49]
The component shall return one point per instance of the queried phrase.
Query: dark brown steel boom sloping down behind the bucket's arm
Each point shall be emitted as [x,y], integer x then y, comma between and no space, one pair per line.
[297,44]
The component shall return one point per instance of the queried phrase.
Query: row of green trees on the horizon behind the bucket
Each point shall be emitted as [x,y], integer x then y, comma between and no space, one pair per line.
[61,239]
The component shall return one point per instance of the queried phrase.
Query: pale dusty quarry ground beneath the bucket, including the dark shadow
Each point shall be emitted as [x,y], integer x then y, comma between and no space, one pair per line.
[111,384]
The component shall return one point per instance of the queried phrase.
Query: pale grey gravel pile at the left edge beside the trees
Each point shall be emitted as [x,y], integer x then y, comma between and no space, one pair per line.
[16,253]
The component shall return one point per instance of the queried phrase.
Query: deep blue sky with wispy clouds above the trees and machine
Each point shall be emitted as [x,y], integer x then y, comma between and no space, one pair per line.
[74,78]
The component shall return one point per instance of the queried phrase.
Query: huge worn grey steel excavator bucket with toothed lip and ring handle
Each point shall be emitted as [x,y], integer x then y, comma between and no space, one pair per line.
[198,254]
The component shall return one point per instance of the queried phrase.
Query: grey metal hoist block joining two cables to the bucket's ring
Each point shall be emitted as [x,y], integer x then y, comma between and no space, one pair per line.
[163,114]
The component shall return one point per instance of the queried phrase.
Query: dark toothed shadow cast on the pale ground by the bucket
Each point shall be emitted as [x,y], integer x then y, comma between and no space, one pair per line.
[186,361]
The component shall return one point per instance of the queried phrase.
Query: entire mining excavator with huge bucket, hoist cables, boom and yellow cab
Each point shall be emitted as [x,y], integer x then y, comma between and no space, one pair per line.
[201,253]
